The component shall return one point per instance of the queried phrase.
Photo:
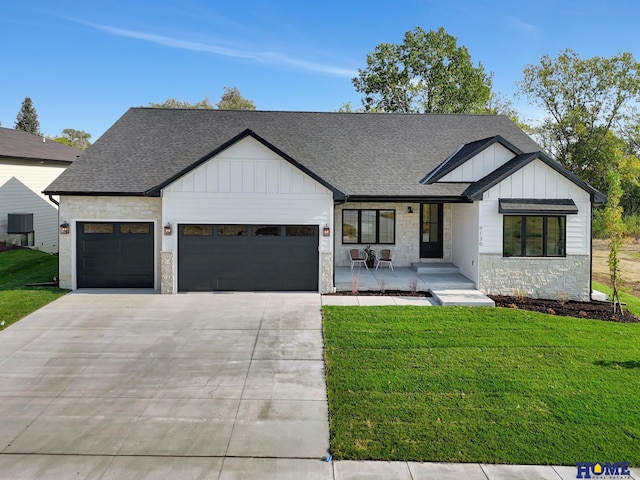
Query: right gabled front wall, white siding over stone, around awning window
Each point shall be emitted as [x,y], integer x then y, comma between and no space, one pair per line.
[538,277]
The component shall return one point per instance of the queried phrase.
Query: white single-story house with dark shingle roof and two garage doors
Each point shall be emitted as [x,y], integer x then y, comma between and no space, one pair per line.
[184,200]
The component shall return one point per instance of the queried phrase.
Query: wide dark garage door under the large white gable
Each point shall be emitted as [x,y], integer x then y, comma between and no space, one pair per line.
[247,257]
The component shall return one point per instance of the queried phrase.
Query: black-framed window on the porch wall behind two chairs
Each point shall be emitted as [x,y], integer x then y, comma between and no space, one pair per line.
[369,226]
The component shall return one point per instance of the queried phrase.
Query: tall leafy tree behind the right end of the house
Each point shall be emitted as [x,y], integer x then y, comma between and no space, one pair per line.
[586,100]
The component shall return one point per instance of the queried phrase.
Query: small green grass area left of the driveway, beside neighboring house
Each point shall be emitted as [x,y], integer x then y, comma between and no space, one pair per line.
[17,268]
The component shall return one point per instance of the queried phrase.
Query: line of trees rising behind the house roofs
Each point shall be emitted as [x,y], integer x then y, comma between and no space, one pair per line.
[590,125]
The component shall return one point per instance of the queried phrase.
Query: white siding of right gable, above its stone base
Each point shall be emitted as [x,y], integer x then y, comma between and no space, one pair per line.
[536,180]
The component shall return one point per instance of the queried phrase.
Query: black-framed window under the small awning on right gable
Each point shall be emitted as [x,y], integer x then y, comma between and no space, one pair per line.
[534,236]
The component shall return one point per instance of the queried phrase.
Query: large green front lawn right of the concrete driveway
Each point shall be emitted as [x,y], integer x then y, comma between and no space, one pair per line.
[481,385]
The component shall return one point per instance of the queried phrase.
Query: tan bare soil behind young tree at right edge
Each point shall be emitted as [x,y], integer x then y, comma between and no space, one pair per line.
[629,263]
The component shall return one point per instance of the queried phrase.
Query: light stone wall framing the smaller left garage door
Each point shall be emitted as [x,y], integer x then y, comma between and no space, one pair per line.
[102,208]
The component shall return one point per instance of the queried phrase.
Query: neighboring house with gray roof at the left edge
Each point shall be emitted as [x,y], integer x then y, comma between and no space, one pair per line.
[28,163]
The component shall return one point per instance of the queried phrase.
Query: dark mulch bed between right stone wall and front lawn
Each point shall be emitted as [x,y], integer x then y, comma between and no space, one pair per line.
[591,310]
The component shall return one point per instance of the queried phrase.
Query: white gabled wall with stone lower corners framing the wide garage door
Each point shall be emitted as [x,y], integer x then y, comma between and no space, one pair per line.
[247,184]
